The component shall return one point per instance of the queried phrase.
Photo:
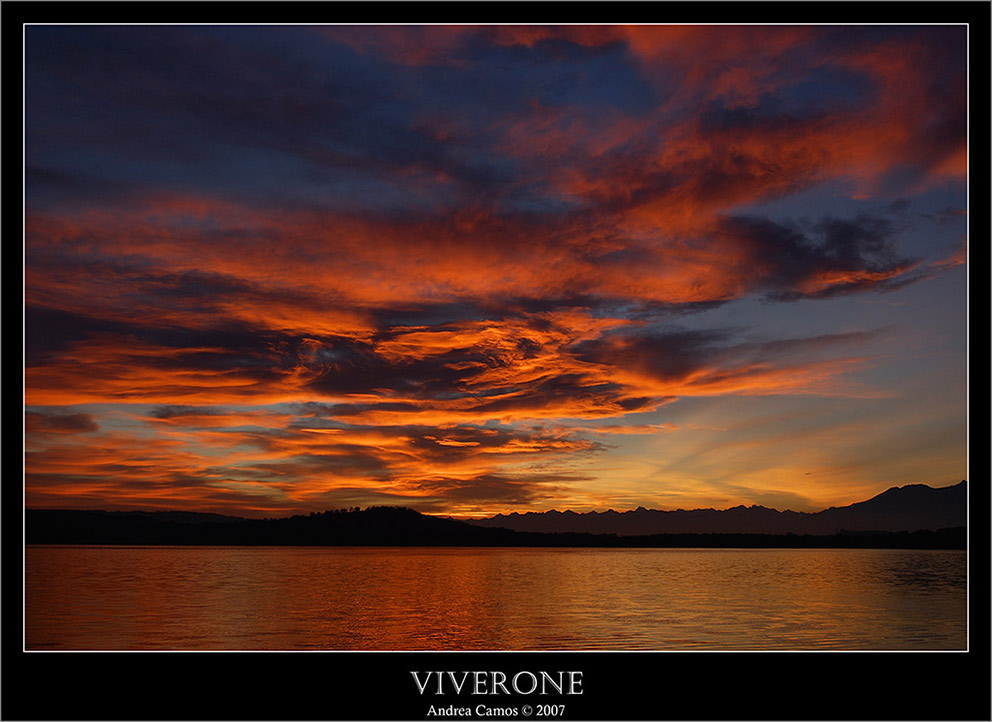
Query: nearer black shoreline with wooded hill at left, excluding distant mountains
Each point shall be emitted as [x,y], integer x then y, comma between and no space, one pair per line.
[398,526]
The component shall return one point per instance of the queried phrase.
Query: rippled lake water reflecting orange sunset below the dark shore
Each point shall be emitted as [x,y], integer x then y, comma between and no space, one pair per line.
[362,598]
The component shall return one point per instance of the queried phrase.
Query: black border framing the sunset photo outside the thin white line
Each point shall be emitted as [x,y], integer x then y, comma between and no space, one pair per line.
[616,685]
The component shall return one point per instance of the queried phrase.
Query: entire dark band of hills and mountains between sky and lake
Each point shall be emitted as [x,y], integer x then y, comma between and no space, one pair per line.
[912,517]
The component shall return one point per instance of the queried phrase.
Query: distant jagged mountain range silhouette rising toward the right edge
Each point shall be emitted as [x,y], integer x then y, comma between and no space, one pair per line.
[907,508]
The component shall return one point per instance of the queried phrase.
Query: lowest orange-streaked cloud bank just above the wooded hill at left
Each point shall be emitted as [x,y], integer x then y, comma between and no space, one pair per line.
[286,459]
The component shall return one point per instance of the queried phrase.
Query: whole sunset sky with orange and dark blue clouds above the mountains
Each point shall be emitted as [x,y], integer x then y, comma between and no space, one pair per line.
[270,270]
